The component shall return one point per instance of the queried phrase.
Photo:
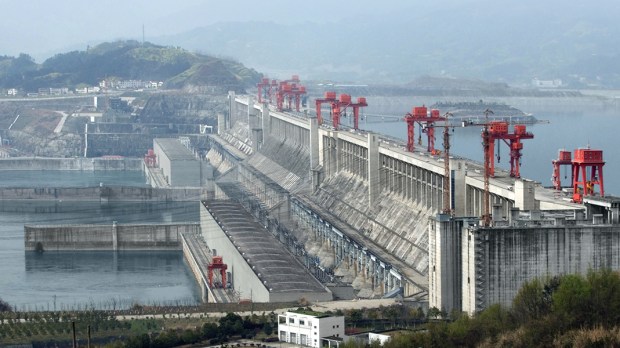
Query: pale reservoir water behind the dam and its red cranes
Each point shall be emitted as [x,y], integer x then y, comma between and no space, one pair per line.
[573,123]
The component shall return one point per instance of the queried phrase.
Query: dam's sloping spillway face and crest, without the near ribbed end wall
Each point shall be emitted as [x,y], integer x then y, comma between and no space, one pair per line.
[358,206]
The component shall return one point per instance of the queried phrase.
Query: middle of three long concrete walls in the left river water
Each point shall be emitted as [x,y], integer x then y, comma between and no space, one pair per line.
[104,194]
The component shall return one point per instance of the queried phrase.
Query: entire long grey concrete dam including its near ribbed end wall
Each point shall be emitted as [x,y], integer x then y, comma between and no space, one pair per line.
[359,209]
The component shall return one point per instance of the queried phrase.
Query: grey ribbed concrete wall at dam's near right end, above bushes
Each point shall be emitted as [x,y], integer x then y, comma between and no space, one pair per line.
[497,262]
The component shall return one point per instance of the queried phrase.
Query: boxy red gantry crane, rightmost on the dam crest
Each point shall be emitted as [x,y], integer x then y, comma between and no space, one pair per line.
[584,184]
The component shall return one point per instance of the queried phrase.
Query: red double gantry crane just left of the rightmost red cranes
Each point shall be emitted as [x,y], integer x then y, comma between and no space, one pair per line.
[498,130]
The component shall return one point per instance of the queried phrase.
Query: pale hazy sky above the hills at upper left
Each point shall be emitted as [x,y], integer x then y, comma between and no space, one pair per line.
[43,28]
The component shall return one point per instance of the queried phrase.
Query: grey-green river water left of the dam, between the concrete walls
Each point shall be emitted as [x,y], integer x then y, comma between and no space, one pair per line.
[31,281]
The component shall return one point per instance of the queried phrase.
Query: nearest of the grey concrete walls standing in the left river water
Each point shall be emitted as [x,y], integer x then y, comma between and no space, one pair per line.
[107,237]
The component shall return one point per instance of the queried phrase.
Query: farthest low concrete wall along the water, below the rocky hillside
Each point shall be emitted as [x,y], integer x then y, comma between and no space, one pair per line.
[77,163]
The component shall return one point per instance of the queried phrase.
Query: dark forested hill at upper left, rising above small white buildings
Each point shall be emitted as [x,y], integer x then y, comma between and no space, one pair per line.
[124,60]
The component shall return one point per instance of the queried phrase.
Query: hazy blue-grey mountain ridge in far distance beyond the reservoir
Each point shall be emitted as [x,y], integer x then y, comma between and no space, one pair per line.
[515,42]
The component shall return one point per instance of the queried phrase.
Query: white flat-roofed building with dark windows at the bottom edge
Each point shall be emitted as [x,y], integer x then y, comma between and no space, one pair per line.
[307,328]
